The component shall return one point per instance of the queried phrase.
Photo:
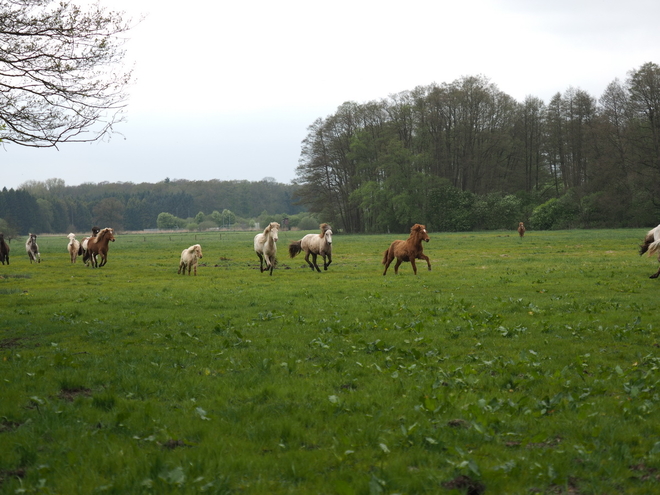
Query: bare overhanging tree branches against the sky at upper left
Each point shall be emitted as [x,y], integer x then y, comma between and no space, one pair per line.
[61,73]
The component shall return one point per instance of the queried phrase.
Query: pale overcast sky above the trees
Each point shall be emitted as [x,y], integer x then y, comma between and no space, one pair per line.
[226,90]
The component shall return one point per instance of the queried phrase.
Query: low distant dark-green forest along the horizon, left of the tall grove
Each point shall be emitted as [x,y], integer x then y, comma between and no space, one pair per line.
[51,206]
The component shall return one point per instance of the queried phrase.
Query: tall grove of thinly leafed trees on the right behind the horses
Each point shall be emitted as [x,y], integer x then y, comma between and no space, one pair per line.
[465,155]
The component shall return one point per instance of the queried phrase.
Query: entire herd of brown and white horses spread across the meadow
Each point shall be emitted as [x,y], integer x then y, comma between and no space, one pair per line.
[265,246]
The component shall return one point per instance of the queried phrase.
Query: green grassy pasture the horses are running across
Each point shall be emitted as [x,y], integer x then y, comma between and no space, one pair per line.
[515,366]
